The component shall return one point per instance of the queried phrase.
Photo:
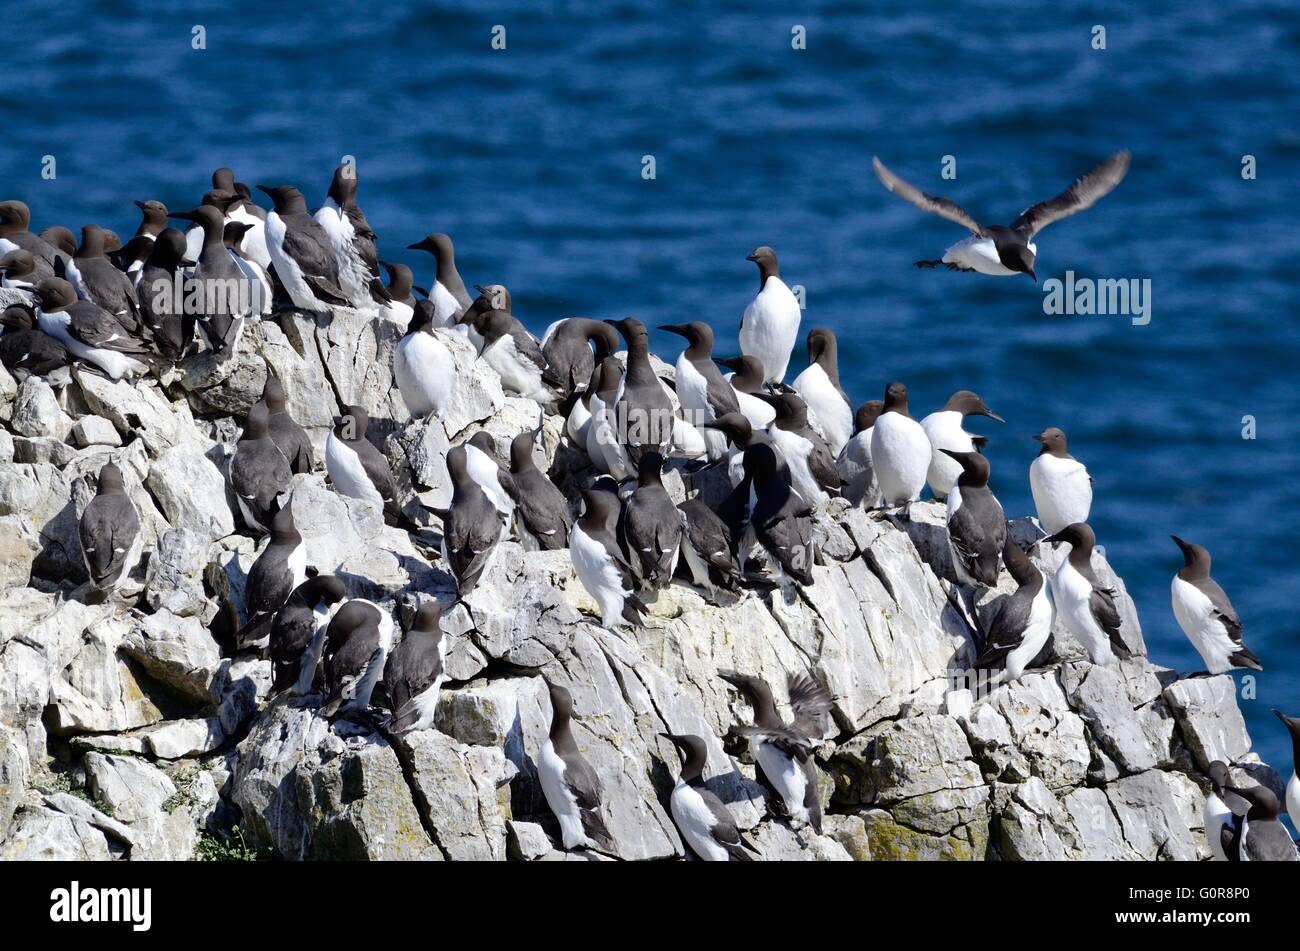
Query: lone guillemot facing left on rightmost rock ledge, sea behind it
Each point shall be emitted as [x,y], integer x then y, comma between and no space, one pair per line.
[1206,614]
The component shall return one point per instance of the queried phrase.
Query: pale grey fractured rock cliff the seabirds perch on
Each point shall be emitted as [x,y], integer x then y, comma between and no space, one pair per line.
[133,729]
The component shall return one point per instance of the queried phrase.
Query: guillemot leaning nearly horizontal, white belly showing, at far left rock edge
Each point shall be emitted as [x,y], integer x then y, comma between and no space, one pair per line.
[89,332]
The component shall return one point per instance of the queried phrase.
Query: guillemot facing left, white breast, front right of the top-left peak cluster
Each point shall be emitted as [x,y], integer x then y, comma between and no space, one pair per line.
[301,253]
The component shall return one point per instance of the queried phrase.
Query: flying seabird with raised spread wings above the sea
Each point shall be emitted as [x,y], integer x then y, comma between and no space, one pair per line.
[1008,251]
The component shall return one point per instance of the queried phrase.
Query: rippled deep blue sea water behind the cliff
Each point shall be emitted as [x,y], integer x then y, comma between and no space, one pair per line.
[532,159]
